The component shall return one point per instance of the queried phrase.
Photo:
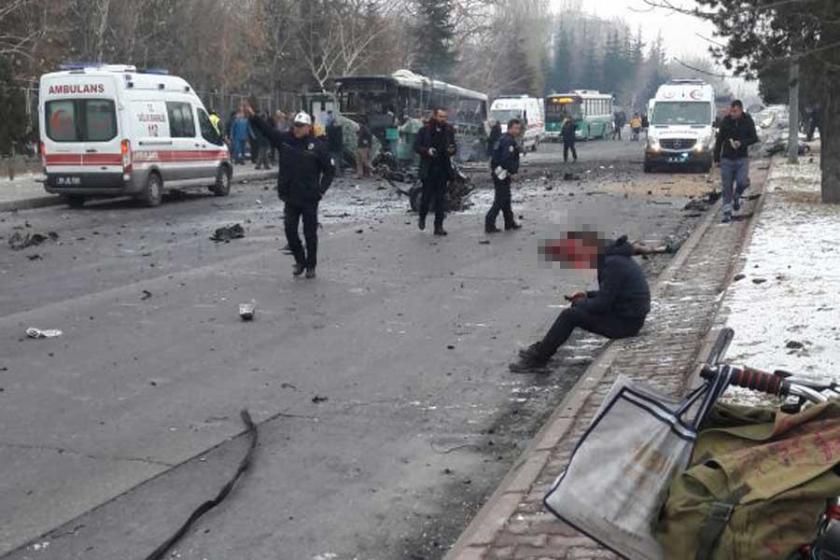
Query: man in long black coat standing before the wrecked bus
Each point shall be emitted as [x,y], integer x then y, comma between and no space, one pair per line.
[436,145]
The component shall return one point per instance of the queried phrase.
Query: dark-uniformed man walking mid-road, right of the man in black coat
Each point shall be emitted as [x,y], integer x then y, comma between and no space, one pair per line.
[504,166]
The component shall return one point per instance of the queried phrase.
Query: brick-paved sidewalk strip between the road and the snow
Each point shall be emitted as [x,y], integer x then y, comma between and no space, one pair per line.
[686,298]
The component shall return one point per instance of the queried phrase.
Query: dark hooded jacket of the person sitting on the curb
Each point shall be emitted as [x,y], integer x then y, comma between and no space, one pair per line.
[623,289]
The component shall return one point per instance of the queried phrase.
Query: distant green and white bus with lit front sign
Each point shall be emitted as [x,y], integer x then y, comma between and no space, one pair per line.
[592,112]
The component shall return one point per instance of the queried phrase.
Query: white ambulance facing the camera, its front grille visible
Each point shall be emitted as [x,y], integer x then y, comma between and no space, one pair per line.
[681,125]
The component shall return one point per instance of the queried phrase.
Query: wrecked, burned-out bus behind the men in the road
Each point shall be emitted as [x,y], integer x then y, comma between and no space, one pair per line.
[393,108]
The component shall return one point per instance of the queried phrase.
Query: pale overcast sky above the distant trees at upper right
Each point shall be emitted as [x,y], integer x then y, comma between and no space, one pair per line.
[678,31]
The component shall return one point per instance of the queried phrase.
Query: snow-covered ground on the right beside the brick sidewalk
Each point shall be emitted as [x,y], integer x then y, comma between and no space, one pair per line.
[790,293]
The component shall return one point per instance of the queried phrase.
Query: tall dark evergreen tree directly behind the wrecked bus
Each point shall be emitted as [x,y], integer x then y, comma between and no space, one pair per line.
[434,54]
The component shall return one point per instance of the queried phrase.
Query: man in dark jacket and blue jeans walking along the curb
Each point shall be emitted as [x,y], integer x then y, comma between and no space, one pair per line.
[735,135]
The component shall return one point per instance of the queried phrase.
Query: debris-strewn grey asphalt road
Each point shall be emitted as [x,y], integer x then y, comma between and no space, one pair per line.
[115,431]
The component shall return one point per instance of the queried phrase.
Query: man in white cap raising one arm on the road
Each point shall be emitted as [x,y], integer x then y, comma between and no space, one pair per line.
[305,172]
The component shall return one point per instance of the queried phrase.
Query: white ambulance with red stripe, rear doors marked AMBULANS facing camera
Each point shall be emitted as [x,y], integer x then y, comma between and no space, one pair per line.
[111,130]
